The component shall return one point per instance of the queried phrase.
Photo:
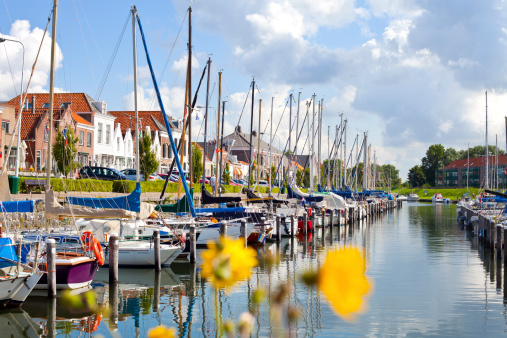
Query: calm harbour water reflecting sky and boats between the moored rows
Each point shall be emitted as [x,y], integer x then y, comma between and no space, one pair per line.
[431,279]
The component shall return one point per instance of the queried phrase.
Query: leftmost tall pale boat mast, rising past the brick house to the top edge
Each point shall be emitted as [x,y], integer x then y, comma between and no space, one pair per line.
[51,96]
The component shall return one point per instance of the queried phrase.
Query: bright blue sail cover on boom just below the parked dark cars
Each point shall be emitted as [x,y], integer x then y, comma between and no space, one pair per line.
[130,202]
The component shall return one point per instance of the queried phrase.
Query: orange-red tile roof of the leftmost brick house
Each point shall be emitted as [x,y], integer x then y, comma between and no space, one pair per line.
[80,102]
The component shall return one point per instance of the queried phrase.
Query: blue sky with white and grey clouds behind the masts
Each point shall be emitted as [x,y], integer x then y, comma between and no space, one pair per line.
[411,73]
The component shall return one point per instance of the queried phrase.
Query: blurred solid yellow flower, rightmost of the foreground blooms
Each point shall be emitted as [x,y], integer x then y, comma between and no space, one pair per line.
[343,281]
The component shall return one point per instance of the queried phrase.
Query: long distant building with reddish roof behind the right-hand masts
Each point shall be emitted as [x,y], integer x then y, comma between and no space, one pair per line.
[454,175]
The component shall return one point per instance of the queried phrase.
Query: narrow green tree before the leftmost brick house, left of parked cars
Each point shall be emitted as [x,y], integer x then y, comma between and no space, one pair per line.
[64,151]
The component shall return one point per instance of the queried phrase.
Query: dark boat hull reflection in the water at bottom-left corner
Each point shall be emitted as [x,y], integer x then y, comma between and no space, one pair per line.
[19,324]
